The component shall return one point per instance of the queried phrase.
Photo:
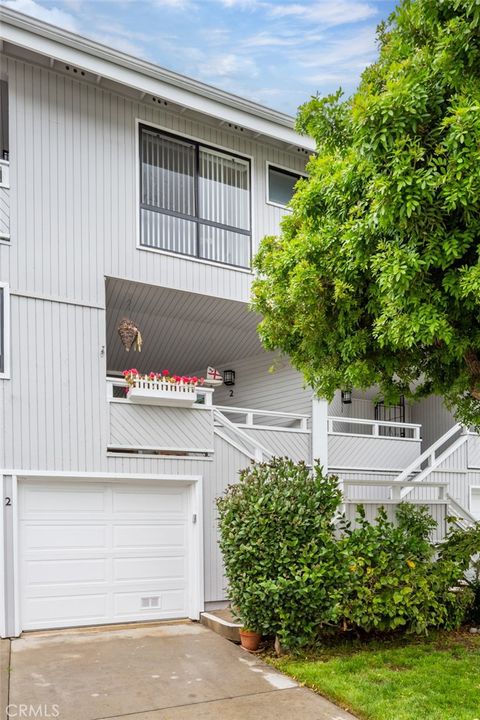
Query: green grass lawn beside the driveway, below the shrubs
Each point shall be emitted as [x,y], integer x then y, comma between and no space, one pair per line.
[434,679]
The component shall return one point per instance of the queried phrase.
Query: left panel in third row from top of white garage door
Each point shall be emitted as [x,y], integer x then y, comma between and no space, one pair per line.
[48,573]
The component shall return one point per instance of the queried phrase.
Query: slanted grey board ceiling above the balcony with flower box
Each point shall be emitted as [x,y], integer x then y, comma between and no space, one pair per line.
[182,331]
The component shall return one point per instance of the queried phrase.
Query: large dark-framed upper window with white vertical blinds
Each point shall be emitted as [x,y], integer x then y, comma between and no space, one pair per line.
[194,200]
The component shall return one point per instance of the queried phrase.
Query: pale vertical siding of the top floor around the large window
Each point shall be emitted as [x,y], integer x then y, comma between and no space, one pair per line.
[74,165]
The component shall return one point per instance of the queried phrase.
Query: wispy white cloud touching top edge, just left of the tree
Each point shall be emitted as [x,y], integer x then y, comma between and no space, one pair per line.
[325,12]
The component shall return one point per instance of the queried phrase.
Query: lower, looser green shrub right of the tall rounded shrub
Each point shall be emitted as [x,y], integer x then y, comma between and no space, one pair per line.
[395,582]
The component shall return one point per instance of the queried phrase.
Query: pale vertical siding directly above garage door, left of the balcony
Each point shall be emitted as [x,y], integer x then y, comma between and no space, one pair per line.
[53,409]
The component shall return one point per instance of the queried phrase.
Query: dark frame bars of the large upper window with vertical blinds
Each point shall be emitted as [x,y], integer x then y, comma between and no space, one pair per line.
[194,218]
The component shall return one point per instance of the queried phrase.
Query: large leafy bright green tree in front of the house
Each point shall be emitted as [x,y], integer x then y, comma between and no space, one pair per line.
[375,278]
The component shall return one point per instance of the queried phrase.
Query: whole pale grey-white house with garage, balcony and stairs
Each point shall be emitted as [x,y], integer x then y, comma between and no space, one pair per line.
[131,192]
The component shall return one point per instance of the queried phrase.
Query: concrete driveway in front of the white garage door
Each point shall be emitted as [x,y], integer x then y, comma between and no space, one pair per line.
[160,672]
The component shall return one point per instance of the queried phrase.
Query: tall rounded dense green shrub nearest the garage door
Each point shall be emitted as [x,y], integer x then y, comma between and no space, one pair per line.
[279,549]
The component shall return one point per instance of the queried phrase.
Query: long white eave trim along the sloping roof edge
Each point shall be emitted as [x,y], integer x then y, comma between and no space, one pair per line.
[69,48]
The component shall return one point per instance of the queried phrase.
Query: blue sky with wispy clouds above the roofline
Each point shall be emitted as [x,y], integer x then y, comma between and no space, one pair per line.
[276,52]
